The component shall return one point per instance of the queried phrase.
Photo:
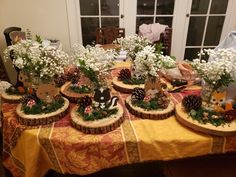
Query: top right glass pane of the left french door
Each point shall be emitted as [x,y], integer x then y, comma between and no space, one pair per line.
[110,7]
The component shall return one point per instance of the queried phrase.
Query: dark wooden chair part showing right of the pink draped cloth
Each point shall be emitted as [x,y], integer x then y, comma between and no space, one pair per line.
[165,39]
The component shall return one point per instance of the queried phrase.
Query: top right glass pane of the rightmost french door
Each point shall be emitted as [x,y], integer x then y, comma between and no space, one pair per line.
[219,6]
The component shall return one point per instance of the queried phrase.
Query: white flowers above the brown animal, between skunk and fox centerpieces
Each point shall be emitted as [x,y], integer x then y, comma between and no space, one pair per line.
[149,63]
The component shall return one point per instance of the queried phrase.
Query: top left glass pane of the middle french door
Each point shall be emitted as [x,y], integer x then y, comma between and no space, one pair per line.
[145,7]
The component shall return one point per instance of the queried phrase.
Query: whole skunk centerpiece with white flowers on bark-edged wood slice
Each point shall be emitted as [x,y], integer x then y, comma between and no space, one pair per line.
[101,112]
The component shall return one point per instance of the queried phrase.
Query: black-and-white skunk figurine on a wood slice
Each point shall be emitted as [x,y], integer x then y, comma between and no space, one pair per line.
[103,99]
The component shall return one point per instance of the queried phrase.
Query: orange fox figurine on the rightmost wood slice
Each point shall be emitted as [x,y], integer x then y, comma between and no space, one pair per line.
[218,101]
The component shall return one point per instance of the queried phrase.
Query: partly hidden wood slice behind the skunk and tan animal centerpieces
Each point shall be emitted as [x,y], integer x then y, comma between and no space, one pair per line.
[72,96]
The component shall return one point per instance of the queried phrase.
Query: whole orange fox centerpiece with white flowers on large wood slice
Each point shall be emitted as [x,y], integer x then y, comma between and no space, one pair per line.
[214,111]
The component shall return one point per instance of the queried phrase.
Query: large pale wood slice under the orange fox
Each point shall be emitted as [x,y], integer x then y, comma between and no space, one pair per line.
[184,118]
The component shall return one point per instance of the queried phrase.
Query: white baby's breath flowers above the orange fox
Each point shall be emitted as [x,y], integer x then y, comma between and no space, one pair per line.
[220,70]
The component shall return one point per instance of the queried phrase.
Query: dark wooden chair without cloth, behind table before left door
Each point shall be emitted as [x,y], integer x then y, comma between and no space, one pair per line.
[108,34]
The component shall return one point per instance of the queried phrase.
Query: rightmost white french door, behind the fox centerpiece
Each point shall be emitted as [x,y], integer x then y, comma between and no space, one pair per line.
[200,24]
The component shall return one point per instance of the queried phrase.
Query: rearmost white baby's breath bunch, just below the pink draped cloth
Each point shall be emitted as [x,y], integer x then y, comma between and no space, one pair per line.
[132,44]
